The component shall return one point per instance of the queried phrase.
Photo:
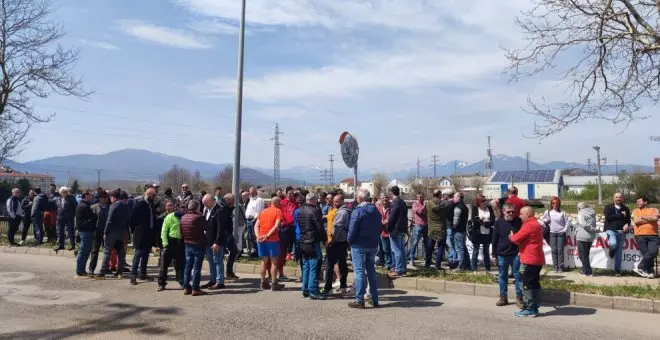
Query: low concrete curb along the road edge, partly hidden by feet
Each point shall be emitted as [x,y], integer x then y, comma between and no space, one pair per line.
[548,297]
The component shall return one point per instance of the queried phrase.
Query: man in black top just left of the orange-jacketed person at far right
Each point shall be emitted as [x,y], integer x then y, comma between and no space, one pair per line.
[617,224]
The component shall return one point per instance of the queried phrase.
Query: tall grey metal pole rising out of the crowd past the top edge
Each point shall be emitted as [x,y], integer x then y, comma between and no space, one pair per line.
[236,180]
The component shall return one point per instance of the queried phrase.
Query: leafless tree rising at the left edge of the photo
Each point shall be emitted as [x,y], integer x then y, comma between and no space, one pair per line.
[32,65]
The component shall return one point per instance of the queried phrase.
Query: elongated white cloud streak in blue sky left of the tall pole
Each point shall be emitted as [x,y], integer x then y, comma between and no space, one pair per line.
[162,35]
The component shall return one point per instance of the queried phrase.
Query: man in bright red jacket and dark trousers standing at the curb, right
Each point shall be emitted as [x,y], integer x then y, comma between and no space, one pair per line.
[530,243]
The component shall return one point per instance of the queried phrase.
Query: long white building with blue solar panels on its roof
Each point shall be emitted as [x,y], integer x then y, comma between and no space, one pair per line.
[534,184]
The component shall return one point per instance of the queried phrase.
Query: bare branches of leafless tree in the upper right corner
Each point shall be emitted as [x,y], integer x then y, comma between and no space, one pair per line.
[612,50]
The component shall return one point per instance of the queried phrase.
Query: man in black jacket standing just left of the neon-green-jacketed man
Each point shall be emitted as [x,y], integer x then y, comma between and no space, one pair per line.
[143,224]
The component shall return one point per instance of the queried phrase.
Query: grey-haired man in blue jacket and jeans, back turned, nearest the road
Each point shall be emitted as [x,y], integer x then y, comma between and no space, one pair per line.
[363,236]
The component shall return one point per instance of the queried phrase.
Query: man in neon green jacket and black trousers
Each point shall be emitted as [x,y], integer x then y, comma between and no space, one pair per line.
[173,248]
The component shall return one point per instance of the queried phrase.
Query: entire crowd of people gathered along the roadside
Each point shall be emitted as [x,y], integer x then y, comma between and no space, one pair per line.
[297,225]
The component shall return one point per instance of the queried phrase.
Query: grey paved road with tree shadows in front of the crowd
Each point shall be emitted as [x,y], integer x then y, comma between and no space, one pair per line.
[40,299]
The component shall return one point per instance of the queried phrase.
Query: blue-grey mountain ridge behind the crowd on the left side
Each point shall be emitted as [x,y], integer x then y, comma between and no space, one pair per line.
[128,164]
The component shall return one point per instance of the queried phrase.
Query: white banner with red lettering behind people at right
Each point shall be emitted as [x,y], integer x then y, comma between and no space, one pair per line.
[599,252]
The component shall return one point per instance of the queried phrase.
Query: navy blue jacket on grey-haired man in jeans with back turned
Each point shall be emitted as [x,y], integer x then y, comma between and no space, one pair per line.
[364,227]
